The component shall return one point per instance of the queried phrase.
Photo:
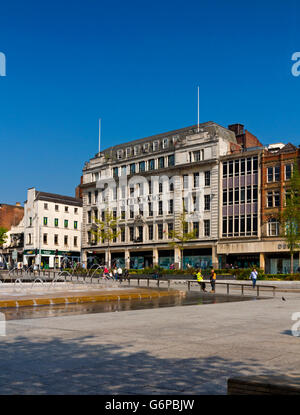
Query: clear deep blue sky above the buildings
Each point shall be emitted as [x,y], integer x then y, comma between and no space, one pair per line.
[136,64]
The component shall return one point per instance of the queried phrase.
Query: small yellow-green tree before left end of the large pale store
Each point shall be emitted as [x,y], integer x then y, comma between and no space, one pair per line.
[106,230]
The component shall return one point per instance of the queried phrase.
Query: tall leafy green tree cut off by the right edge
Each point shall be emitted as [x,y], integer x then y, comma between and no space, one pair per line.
[290,217]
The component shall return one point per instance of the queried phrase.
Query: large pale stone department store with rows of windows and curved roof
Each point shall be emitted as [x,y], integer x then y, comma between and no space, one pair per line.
[146,183]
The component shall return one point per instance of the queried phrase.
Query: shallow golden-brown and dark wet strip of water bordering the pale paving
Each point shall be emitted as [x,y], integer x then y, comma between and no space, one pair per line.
[191,298]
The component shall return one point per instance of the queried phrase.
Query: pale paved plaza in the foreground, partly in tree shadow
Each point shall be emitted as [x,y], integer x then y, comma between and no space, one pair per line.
[175,350]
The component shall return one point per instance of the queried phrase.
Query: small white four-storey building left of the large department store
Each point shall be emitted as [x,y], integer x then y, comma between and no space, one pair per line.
[52,229]
